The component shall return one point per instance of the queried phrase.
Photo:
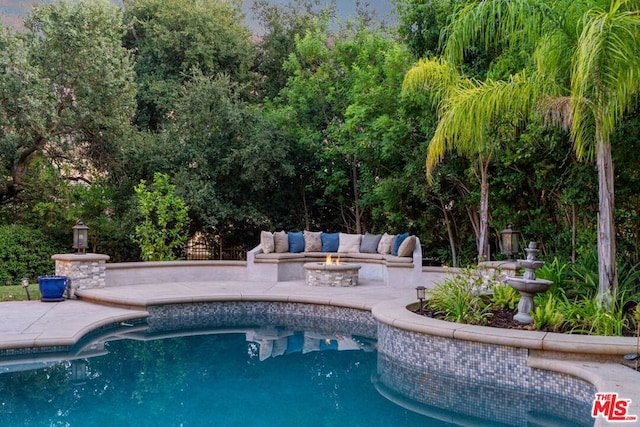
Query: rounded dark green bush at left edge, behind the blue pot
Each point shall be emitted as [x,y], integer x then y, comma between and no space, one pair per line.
[24,252]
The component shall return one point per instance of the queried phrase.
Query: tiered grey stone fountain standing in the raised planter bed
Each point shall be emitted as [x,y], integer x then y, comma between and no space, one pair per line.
[528,285]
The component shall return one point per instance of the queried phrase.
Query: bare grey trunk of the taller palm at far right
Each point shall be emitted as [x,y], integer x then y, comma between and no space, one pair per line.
[607,275]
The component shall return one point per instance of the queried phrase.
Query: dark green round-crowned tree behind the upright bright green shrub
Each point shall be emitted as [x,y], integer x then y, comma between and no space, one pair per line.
[228,160]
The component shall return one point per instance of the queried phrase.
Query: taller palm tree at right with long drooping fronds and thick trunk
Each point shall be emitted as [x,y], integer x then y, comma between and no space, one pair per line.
[585,80]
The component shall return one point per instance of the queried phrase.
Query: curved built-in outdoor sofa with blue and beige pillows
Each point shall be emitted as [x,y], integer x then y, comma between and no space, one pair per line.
[395,260]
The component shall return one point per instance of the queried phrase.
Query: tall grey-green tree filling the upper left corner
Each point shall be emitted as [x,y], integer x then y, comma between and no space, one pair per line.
[66,91]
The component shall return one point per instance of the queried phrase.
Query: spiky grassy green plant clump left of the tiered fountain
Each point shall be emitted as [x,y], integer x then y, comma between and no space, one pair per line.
[459,299]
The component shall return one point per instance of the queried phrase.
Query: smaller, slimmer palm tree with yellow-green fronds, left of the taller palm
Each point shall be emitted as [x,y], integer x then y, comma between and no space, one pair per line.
[467,108]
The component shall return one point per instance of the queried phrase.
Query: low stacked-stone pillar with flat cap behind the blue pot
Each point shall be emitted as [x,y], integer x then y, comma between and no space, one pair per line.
[85,271]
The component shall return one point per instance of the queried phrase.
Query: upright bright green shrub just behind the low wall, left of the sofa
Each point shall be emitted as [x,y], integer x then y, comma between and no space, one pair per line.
[164,220]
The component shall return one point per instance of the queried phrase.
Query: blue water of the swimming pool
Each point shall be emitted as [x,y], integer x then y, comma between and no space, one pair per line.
[231,379]
